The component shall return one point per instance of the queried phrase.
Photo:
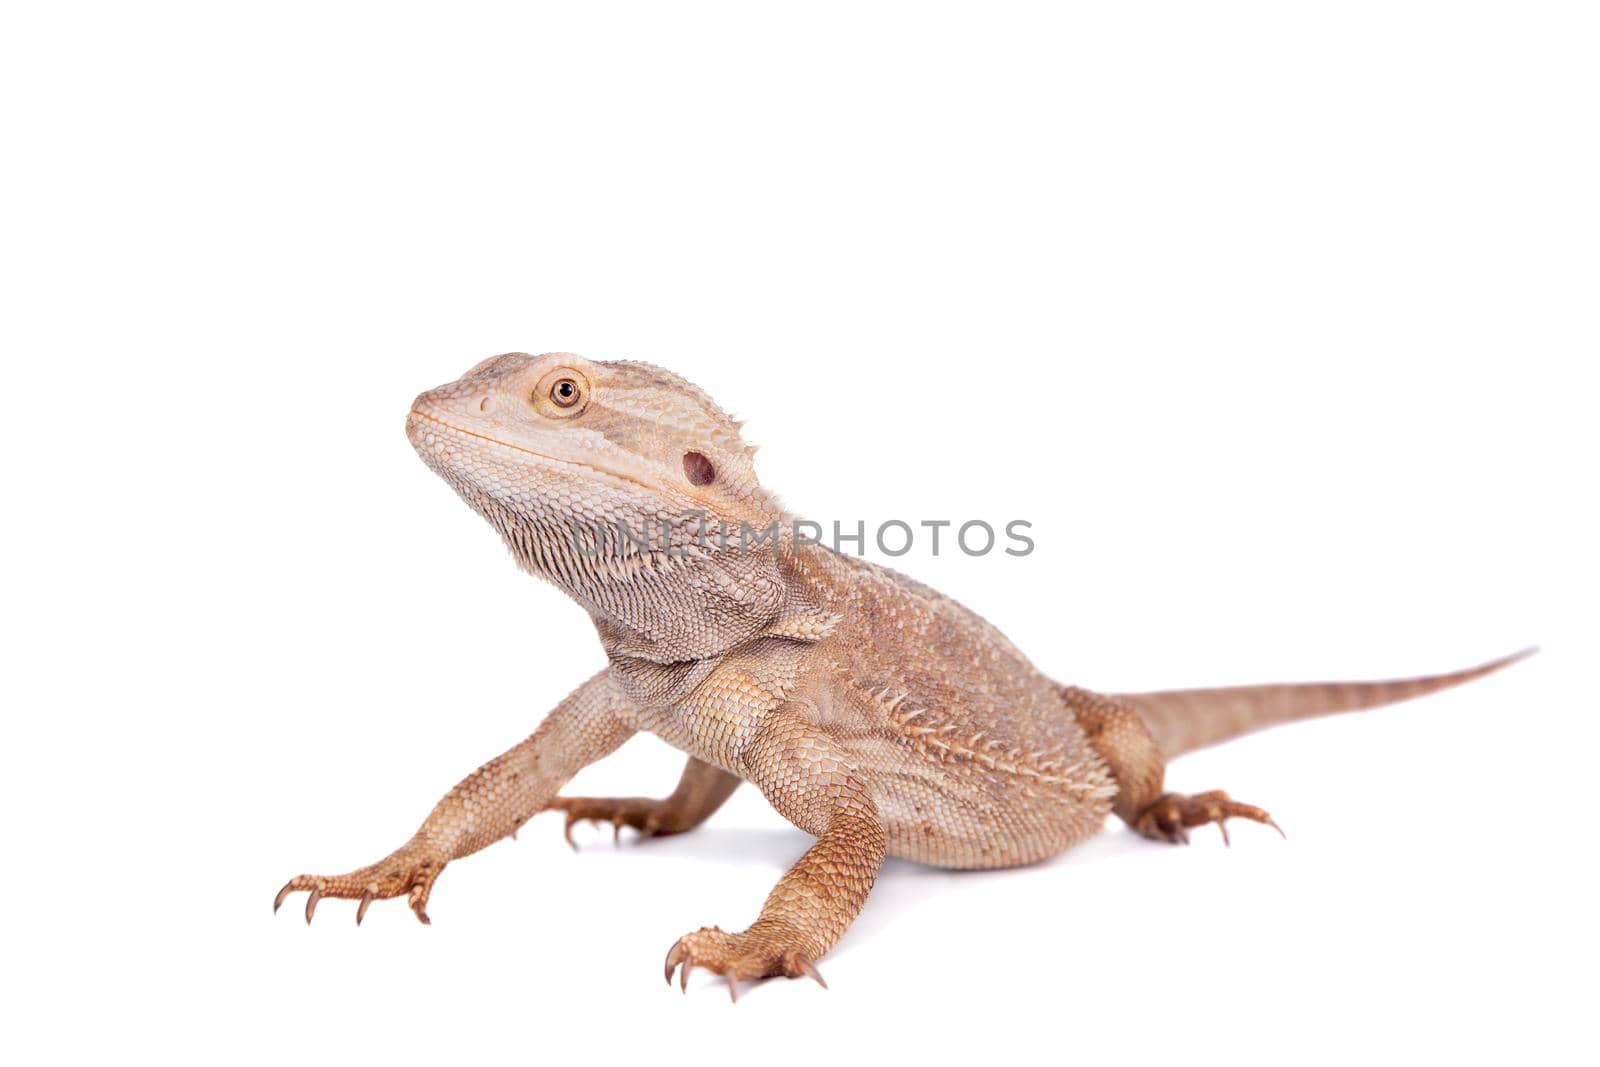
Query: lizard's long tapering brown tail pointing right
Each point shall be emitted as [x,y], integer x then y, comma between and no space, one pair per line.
[1183,721]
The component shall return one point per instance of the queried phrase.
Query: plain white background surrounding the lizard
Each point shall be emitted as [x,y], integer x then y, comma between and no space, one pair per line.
[1278,326]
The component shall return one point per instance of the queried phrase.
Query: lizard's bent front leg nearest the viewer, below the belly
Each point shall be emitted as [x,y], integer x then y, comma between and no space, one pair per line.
[814,785]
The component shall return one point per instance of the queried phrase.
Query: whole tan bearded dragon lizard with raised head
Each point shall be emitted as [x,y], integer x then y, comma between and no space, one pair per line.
[873,713]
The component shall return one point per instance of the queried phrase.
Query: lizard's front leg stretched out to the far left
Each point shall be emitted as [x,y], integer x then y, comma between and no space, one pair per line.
[487,805]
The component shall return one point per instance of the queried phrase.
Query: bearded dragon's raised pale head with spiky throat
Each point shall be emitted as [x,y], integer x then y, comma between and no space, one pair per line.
[596,476]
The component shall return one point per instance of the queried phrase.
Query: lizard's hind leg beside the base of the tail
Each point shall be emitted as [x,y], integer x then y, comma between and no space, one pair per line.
[1140,769]
